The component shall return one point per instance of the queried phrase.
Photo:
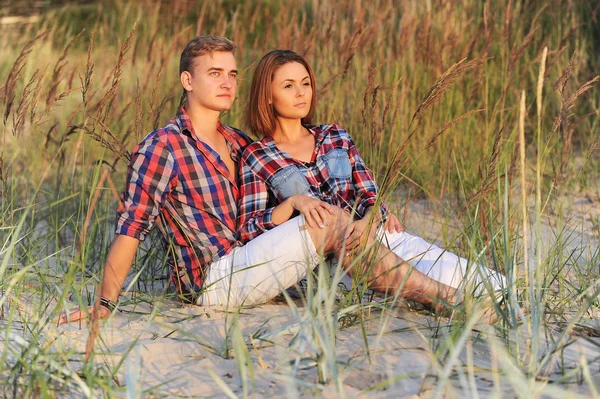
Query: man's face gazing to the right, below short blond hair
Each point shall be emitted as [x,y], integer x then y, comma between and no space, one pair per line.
[213,82]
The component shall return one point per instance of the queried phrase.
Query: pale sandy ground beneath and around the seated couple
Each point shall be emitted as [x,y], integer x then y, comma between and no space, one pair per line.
[172,349]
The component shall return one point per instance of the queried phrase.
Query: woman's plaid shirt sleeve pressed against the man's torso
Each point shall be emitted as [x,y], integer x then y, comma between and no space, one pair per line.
[255,215]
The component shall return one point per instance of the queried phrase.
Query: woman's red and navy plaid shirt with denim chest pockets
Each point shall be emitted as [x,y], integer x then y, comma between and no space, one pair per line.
[262,160]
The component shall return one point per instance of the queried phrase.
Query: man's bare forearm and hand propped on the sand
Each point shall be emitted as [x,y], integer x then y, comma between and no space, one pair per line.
[118,264]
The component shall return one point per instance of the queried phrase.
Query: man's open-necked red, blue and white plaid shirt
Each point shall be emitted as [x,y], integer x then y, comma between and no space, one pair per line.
[175,176]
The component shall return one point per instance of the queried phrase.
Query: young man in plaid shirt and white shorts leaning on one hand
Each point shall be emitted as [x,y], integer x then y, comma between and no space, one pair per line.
[186,174]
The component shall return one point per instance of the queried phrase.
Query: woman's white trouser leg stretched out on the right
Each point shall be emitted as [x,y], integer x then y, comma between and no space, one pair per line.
[443,266]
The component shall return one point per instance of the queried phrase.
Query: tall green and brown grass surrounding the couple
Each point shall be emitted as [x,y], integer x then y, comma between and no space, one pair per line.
[487,109]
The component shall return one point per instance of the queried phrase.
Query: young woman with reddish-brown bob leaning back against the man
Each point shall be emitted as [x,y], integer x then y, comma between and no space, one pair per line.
[299,167]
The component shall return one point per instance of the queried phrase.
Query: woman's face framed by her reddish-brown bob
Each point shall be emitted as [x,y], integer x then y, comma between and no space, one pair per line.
[291,91]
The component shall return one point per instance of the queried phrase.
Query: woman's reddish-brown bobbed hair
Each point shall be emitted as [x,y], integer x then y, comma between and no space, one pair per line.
[259,115]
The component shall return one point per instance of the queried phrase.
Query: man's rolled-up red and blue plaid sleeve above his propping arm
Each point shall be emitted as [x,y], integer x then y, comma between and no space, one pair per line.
[150,175]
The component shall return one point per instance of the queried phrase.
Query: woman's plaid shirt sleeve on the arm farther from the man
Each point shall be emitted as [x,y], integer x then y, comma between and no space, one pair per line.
[364,183]
